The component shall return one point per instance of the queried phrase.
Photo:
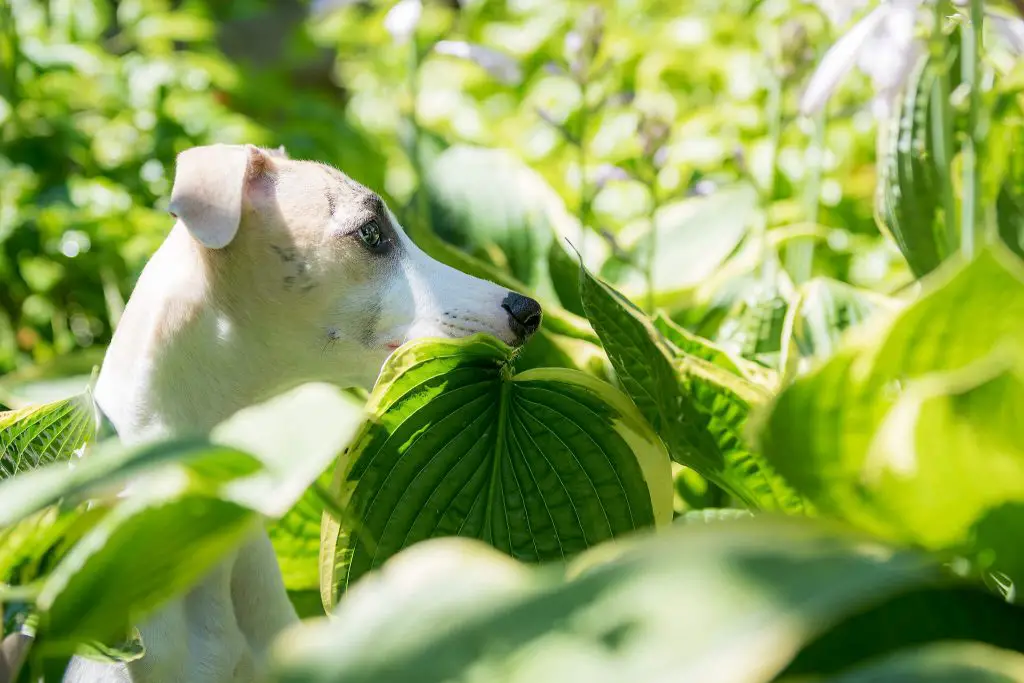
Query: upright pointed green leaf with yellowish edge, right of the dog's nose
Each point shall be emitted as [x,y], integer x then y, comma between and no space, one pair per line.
[699,409]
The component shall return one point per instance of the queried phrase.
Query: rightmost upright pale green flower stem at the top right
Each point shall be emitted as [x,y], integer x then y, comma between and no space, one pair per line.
[971,225]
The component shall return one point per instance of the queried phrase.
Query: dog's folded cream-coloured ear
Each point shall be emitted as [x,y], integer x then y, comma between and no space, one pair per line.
[209,188]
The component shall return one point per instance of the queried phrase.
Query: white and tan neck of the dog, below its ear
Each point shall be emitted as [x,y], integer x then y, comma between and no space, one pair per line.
[178,364]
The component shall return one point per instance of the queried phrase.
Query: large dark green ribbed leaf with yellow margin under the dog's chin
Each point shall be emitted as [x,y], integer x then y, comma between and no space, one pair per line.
[542,465]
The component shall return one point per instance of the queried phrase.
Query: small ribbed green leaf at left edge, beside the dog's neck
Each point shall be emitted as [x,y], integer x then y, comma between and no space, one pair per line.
[34,437]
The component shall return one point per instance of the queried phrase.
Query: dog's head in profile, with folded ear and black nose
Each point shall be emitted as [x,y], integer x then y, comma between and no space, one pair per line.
[320,269]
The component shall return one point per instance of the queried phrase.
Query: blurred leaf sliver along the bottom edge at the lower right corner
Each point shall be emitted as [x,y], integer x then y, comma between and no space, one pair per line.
[942,663]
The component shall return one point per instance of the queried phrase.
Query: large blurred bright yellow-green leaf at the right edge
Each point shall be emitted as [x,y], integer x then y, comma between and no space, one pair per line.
[912,431]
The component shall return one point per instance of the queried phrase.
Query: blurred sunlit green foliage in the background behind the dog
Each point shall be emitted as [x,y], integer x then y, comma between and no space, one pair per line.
[632,123]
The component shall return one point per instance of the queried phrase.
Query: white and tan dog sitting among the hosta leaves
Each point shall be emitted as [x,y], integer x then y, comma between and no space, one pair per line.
[277,273]
